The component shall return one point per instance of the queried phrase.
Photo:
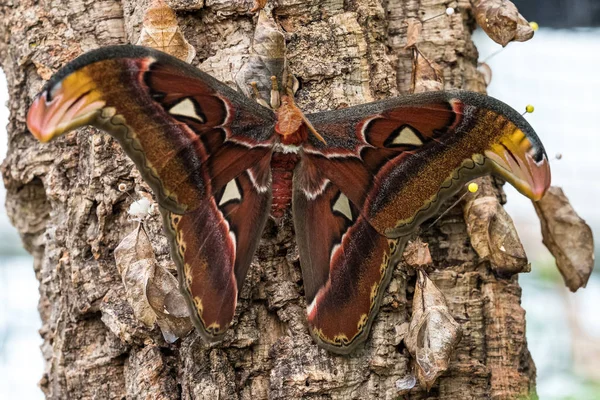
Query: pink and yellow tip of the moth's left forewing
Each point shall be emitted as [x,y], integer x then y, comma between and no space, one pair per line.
[64,104]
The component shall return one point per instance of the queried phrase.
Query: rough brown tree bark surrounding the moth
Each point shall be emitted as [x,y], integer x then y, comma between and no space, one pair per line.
[64,199]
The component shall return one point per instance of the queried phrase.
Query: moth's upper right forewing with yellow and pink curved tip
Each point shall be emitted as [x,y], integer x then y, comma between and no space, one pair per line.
[397,160]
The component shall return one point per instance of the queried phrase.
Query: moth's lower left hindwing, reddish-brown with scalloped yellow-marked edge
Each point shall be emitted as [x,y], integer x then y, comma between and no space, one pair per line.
[213,247]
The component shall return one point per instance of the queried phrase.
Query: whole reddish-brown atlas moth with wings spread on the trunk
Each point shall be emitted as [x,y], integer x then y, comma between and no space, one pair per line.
[357,181]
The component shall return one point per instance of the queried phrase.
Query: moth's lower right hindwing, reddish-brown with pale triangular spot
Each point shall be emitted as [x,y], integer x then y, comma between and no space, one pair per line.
[345,261]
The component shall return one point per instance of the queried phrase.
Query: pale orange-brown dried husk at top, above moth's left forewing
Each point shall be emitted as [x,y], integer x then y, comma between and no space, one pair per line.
[161,31]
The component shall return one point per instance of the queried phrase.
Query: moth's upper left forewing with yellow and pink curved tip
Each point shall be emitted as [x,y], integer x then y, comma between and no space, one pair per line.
[187,133]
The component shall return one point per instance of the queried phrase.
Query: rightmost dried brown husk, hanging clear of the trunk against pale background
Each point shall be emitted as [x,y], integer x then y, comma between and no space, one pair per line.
[567,236]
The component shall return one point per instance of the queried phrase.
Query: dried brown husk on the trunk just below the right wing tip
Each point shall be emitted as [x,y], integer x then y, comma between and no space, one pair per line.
[493,234]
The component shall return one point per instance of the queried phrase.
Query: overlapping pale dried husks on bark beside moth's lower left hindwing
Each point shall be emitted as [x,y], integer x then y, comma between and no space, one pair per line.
[150,289]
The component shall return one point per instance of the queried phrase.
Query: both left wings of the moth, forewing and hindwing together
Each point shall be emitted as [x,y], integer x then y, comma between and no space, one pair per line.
[203,148]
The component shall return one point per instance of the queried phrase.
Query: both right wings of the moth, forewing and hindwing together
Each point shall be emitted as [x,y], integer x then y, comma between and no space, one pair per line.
[384,169]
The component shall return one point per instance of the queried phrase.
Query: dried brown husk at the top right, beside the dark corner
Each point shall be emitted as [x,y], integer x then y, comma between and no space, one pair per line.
[502,22]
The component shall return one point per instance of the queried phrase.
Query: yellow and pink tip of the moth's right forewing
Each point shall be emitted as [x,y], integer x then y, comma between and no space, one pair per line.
[521,160]
